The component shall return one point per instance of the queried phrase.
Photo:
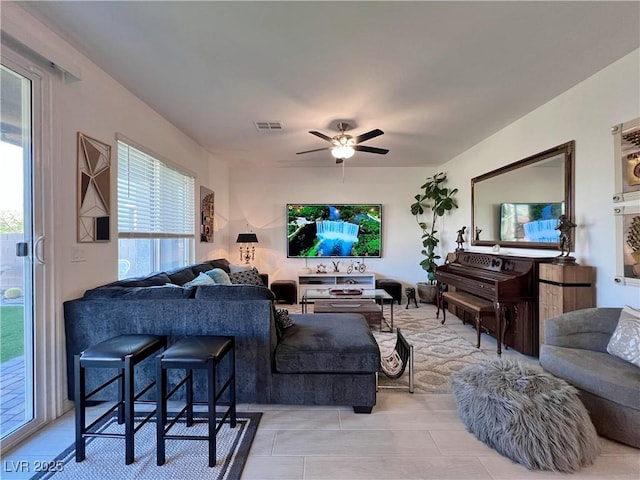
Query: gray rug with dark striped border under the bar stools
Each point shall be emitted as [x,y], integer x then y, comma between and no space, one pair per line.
[184,459]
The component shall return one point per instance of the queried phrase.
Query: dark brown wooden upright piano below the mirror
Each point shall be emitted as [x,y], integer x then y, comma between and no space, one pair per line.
[510,282]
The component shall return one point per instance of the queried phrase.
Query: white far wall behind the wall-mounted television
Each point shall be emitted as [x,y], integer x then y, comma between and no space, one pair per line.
[259,197]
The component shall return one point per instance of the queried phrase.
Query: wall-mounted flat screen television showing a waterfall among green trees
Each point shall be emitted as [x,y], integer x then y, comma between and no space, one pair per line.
[334,230]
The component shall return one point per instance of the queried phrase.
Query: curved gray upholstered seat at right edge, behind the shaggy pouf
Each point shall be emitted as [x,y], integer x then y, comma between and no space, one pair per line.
[575,349]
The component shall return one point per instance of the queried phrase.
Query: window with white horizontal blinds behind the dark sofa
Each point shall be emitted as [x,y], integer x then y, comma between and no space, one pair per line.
[156,212]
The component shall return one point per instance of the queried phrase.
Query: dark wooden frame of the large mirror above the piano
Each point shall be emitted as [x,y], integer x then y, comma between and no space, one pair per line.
[566,149]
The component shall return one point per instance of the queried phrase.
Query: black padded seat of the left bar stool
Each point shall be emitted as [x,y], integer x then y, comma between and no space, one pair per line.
[138,346]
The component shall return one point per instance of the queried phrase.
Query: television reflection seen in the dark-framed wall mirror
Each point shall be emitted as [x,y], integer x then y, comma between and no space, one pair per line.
[530,222]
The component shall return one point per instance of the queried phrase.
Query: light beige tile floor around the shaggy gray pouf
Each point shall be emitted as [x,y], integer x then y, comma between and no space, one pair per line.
[408,436]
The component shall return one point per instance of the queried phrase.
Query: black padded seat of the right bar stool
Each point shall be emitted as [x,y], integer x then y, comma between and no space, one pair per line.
[195,350]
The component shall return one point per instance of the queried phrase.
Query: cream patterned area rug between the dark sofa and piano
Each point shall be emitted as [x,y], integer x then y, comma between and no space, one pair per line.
[438,350]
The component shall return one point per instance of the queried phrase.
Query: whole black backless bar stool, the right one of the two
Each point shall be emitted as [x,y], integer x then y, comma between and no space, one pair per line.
[191,353]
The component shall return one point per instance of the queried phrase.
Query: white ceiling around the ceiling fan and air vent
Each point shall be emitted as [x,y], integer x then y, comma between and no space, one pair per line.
[436,77]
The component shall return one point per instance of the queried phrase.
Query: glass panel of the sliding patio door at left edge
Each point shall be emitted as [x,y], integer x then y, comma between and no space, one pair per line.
[16,242]
